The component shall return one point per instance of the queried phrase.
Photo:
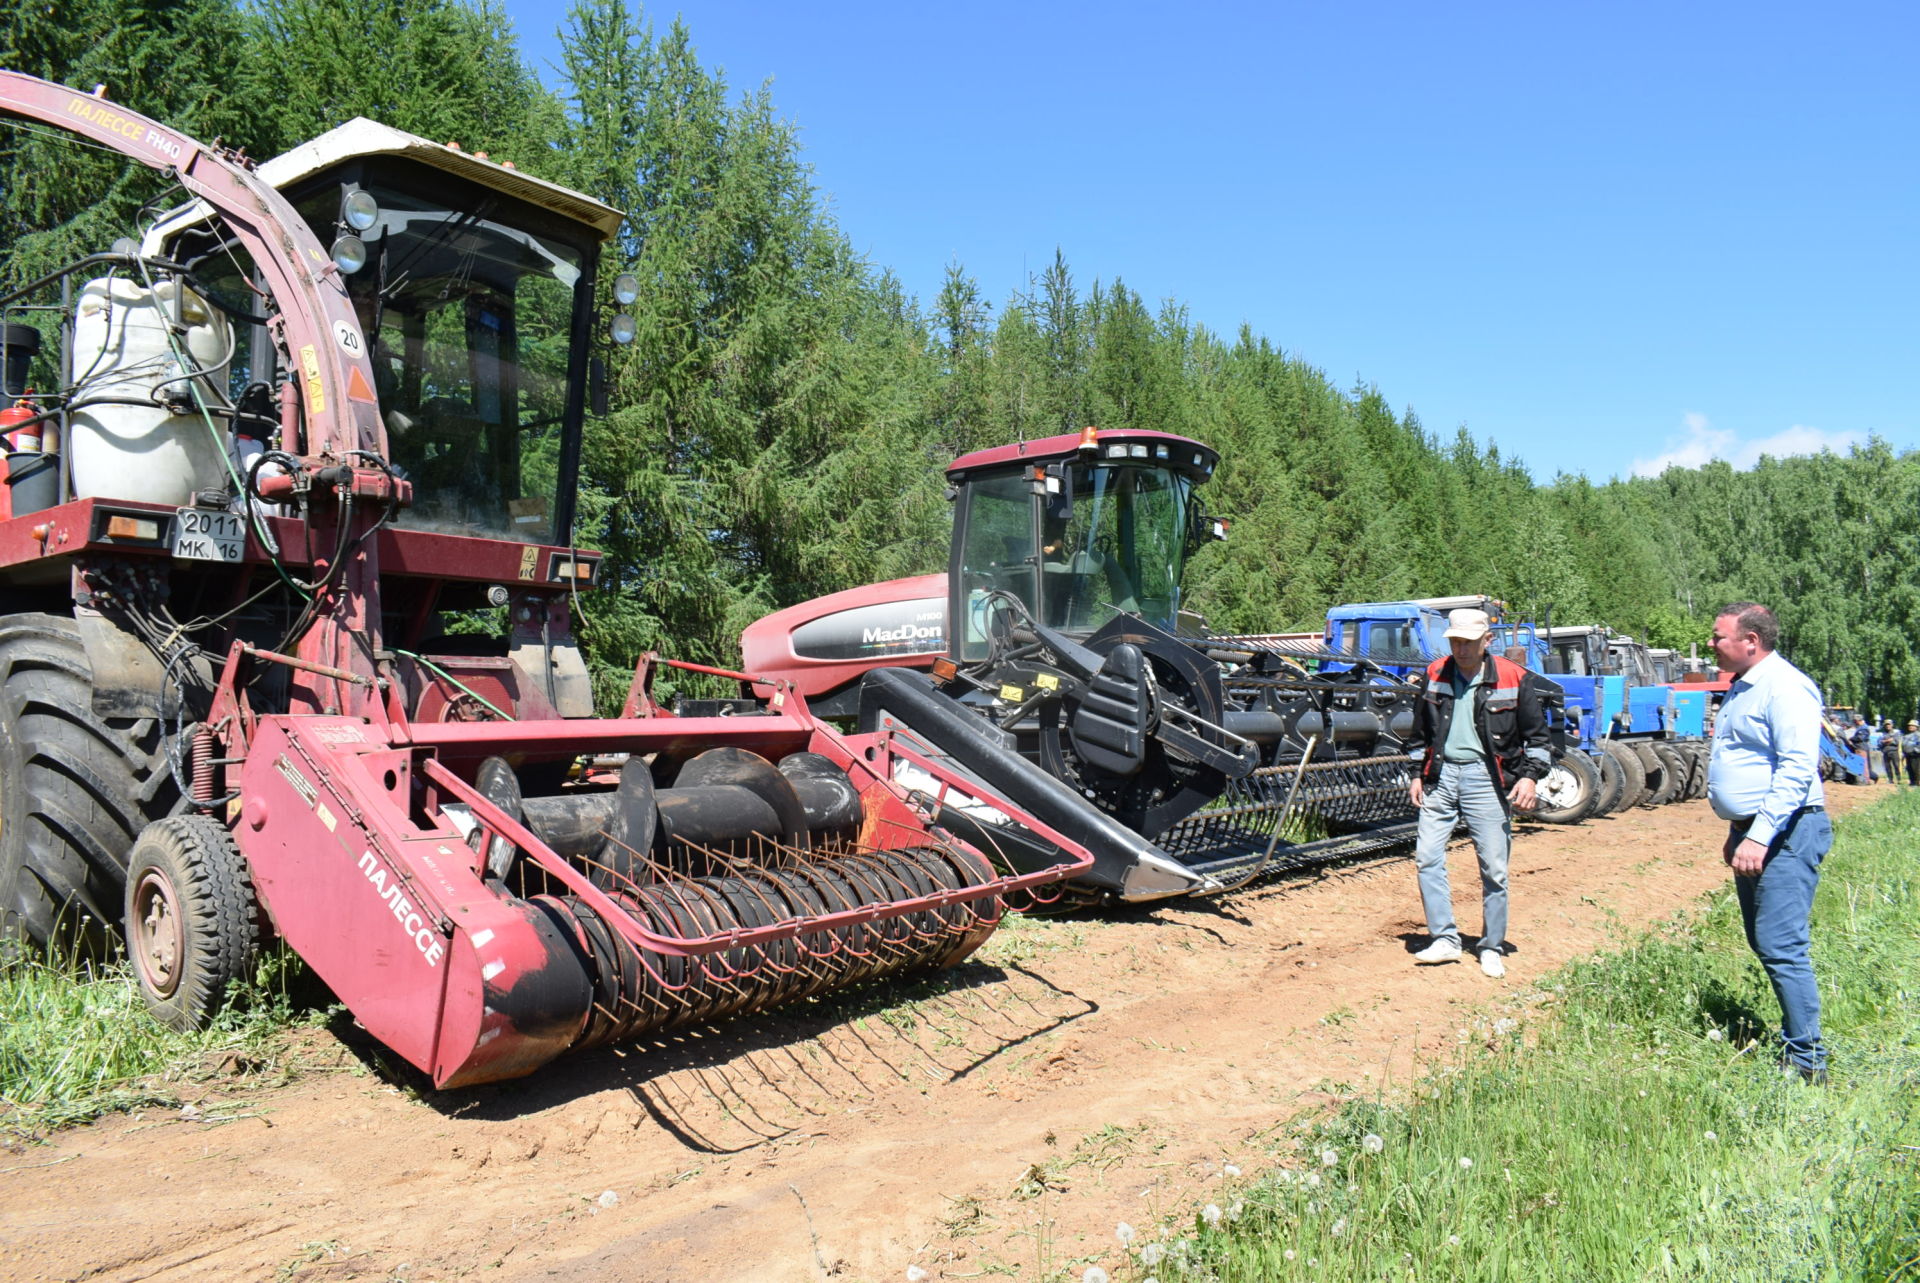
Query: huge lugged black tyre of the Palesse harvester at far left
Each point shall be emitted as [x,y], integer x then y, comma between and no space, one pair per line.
[76,788]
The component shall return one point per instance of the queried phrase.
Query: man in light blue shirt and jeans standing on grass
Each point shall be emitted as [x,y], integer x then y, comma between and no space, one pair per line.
[1765,783]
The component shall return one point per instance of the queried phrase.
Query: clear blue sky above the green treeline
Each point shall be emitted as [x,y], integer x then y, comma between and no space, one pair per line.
[1602,237]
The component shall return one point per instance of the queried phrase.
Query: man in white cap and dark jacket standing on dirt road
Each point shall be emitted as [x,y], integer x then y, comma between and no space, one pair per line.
[1483,729]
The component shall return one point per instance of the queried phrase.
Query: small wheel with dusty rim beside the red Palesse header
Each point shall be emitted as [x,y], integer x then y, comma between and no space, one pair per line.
[193,921]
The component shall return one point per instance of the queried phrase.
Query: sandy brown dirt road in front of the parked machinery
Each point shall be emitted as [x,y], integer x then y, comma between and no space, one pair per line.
[996,1123]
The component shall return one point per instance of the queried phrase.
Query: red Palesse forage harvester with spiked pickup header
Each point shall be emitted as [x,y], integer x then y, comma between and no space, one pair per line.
[302,424]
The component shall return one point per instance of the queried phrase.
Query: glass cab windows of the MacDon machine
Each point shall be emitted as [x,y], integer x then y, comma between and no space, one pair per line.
[1113,541]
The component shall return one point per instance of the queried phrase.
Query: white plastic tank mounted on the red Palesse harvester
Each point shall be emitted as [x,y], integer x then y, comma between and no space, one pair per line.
[120,351]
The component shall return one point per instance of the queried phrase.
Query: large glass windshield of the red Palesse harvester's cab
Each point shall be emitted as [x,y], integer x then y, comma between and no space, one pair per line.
[469,324]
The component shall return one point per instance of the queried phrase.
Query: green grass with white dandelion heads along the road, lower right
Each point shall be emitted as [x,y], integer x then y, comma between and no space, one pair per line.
[1639,1132]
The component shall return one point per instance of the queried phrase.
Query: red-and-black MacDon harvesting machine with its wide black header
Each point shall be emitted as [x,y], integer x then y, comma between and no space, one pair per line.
[1053,666]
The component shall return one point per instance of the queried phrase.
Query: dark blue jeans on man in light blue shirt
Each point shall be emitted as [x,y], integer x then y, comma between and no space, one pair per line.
[1775,909]
